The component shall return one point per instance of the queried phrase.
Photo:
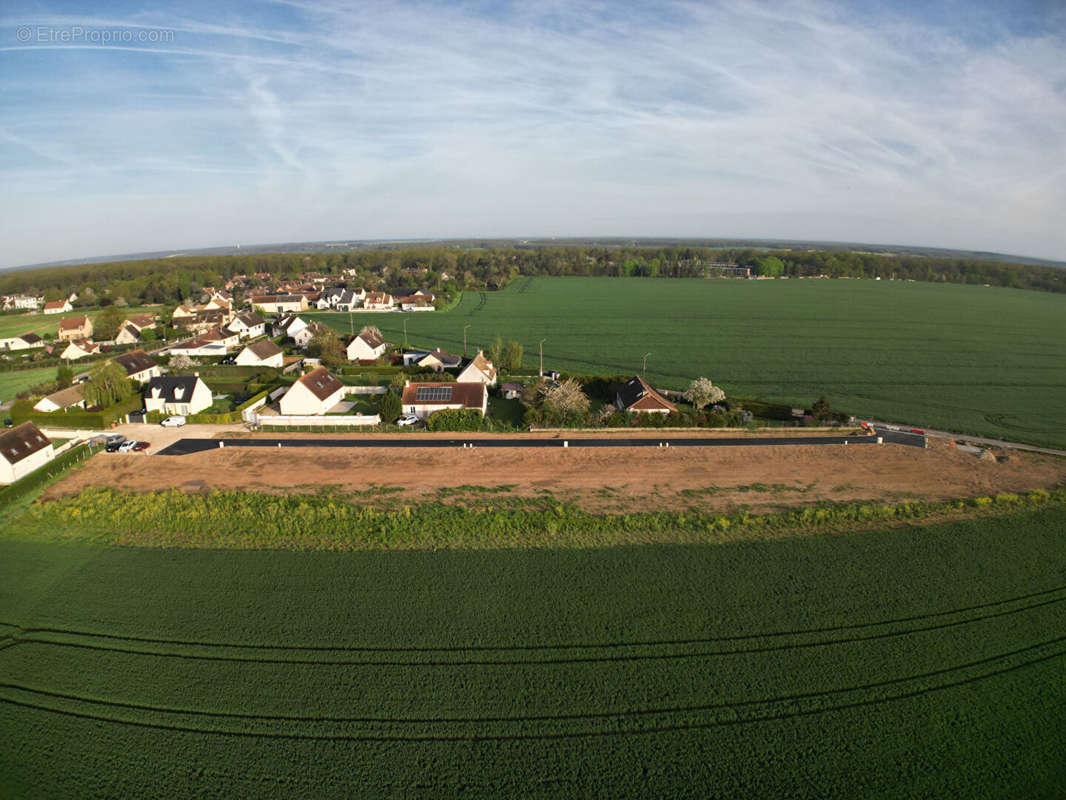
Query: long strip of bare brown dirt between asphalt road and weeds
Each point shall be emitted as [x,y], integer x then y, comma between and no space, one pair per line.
[763,478]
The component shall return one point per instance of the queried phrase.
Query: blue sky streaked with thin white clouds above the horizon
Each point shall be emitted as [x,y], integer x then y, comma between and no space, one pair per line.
[136,127]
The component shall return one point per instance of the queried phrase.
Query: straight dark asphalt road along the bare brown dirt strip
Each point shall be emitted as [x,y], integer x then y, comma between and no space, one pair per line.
[186,446]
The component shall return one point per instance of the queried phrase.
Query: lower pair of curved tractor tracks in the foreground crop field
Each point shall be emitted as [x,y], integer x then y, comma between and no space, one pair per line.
[771,709]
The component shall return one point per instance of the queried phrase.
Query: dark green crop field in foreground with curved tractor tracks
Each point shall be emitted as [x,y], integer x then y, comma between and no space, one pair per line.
[919,662]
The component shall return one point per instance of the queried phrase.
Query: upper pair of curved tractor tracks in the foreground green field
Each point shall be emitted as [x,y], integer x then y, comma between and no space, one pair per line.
[33,636]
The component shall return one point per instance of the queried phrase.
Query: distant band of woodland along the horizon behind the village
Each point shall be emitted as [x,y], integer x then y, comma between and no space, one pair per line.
[449,270]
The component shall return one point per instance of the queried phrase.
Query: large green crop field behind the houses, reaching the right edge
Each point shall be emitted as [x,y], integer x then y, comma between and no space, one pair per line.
[970,359]
